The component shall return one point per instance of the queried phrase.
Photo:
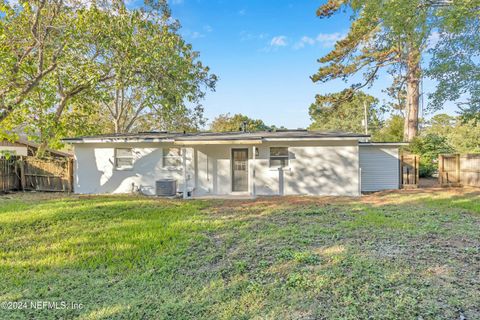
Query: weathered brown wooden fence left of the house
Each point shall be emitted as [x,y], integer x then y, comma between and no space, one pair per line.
[28,173]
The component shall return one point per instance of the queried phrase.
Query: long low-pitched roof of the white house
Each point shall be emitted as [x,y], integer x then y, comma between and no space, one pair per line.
[205,137]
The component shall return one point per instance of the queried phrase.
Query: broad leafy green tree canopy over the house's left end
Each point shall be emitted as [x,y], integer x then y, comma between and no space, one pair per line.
[130,65]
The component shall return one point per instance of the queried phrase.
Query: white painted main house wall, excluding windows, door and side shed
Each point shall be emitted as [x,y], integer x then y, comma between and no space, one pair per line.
[315,168]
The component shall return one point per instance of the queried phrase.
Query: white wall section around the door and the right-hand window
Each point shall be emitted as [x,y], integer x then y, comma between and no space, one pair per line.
[315,168]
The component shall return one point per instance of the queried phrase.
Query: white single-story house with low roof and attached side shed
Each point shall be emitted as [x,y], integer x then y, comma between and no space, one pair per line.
[282,162]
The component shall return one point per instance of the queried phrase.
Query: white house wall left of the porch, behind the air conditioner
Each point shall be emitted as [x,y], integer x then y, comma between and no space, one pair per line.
[95,172]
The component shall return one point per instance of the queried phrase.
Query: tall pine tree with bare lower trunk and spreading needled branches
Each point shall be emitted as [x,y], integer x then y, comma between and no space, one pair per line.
[389,35]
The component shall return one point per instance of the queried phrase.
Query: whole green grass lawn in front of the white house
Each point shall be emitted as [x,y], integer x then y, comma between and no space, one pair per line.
[405,255]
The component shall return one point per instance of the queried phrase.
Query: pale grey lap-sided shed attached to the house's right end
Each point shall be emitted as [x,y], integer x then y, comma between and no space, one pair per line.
[379,167]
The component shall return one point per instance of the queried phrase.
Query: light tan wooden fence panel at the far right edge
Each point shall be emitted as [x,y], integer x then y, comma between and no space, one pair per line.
[456,169]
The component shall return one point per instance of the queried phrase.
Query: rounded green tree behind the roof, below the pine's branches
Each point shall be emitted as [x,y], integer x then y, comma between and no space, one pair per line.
[337,112]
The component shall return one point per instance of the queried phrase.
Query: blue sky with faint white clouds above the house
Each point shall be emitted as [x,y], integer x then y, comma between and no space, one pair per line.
[264,52]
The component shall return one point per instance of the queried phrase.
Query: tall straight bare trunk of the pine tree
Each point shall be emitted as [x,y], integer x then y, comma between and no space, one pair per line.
[413,95]
